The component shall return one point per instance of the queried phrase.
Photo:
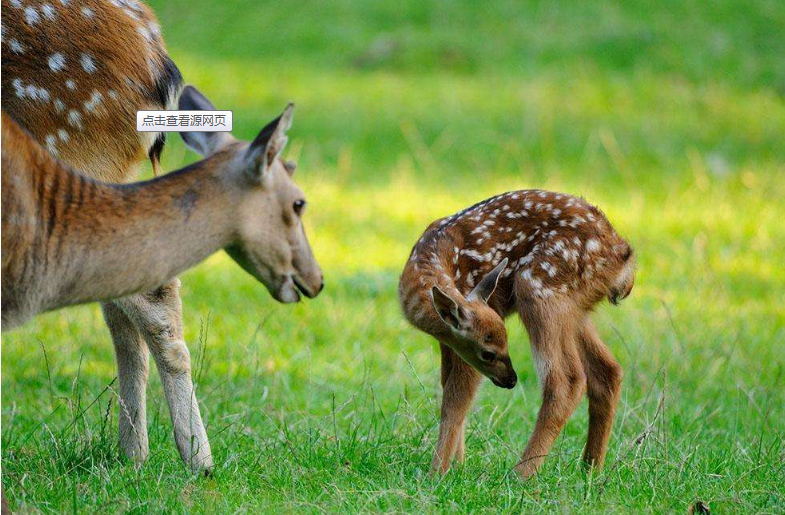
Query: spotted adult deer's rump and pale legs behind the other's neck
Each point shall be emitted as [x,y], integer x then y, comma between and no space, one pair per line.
[74,74]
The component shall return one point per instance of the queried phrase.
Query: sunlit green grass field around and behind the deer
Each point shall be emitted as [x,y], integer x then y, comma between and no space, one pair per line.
[671,117]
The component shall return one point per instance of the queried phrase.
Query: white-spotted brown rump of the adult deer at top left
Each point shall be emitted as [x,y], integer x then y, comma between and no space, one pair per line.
[84,112]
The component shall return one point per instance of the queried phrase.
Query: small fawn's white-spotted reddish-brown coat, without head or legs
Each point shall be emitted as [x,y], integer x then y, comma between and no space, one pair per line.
[558,245]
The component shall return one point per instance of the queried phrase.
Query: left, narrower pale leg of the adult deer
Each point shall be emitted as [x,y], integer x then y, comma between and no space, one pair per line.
[132,369]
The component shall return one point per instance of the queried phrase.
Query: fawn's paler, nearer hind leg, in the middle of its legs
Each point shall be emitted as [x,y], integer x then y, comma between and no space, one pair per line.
[551,324]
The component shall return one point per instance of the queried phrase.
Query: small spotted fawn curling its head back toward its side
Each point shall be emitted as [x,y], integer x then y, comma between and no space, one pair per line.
[549,256]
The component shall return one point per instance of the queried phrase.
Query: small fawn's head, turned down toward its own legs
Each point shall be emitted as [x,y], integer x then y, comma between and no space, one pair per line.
[479,334]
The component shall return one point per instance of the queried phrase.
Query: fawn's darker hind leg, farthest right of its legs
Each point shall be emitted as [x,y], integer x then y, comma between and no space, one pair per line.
[603,386]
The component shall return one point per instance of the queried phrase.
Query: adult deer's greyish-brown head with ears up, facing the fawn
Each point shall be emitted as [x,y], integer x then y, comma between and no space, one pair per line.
[270,243]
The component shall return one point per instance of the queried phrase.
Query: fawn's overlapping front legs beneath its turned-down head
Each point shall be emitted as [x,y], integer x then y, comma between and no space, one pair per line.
[459,383]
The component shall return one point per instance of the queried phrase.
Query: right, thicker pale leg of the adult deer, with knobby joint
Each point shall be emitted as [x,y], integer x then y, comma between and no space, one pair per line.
[158,316]
